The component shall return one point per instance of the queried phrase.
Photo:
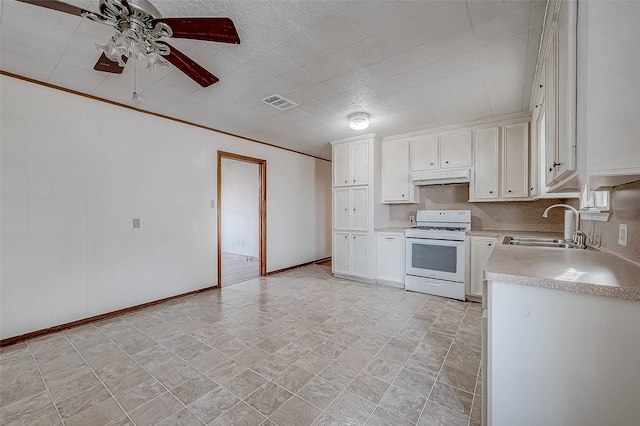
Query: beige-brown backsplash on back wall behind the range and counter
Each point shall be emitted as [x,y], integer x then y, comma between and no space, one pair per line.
[514,216]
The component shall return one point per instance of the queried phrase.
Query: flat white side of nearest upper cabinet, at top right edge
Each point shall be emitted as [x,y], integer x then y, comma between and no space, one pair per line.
[611,95]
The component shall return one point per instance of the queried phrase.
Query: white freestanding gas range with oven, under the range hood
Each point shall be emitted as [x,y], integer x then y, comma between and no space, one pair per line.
[435,255]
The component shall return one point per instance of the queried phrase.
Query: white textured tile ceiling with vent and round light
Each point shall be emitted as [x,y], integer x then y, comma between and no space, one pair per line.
[412,65]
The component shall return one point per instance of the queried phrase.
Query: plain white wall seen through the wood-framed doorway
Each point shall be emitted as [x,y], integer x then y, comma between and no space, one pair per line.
[240,204]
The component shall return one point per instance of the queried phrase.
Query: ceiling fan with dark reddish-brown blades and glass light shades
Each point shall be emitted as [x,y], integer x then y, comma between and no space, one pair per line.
[140,30]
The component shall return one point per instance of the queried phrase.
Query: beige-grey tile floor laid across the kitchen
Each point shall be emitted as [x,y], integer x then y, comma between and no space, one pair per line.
[299,348]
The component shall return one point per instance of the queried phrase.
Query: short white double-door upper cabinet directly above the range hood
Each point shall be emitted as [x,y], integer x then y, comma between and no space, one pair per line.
[446,151]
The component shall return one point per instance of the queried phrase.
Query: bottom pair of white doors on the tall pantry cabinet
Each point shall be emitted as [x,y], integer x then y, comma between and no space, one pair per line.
[350,254]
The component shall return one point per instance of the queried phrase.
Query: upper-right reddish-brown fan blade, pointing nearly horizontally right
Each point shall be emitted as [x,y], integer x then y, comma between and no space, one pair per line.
[209,29]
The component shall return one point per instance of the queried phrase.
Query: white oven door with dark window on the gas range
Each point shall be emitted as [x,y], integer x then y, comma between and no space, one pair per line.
[438,259]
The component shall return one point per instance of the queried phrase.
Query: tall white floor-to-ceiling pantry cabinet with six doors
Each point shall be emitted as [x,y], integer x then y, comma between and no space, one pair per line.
[357,206]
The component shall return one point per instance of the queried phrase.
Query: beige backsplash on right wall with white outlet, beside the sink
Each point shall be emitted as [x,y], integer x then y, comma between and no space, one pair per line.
[625,203]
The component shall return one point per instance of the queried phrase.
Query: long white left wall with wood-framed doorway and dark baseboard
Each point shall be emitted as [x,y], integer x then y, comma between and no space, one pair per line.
[74,172]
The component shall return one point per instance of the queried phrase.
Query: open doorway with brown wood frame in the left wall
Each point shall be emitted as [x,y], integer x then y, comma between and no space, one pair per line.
[242,202]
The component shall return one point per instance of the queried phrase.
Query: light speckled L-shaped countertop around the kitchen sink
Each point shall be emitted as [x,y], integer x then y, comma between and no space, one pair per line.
[580,271]
